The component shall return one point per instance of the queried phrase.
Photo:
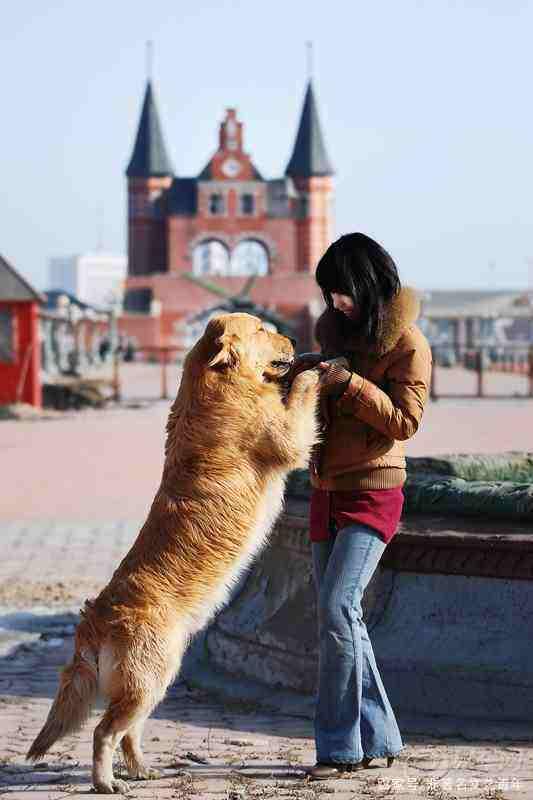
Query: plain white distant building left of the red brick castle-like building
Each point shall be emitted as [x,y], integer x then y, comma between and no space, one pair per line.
[94,278]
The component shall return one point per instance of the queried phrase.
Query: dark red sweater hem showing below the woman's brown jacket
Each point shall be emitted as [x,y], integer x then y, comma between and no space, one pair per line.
[380,509]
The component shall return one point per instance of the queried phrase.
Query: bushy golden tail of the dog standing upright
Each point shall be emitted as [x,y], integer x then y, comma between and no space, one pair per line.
[73,703]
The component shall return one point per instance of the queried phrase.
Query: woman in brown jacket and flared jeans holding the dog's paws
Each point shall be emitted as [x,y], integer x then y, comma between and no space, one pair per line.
[368,407]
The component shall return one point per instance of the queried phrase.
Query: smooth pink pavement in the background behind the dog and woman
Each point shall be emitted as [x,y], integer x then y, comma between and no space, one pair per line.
[106,465]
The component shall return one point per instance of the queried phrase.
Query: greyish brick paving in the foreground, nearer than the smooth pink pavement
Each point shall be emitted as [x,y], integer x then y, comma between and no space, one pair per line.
[45,573]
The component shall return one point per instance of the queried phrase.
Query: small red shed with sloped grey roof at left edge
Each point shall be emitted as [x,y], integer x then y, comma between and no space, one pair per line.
[20,356]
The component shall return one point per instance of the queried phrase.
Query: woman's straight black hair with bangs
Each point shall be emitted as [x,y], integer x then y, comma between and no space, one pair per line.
[359,267]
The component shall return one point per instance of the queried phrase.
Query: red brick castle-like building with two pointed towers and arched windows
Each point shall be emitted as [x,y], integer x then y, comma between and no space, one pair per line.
[224,225]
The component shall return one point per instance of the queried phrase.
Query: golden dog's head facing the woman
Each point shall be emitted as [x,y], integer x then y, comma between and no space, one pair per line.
[241,344]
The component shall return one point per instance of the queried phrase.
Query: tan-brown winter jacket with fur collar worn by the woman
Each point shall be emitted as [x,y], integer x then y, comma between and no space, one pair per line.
[383,404]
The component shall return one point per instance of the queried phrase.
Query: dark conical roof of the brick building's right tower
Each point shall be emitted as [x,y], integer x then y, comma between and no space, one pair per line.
[309,156]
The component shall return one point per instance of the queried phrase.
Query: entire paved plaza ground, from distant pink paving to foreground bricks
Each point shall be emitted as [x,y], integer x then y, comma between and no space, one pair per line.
[74,492]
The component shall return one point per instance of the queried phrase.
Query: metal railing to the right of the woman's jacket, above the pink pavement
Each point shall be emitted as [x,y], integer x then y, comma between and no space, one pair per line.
[496,371]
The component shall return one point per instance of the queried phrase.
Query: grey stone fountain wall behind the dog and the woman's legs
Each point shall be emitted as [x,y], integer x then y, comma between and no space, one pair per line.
[449,610]
